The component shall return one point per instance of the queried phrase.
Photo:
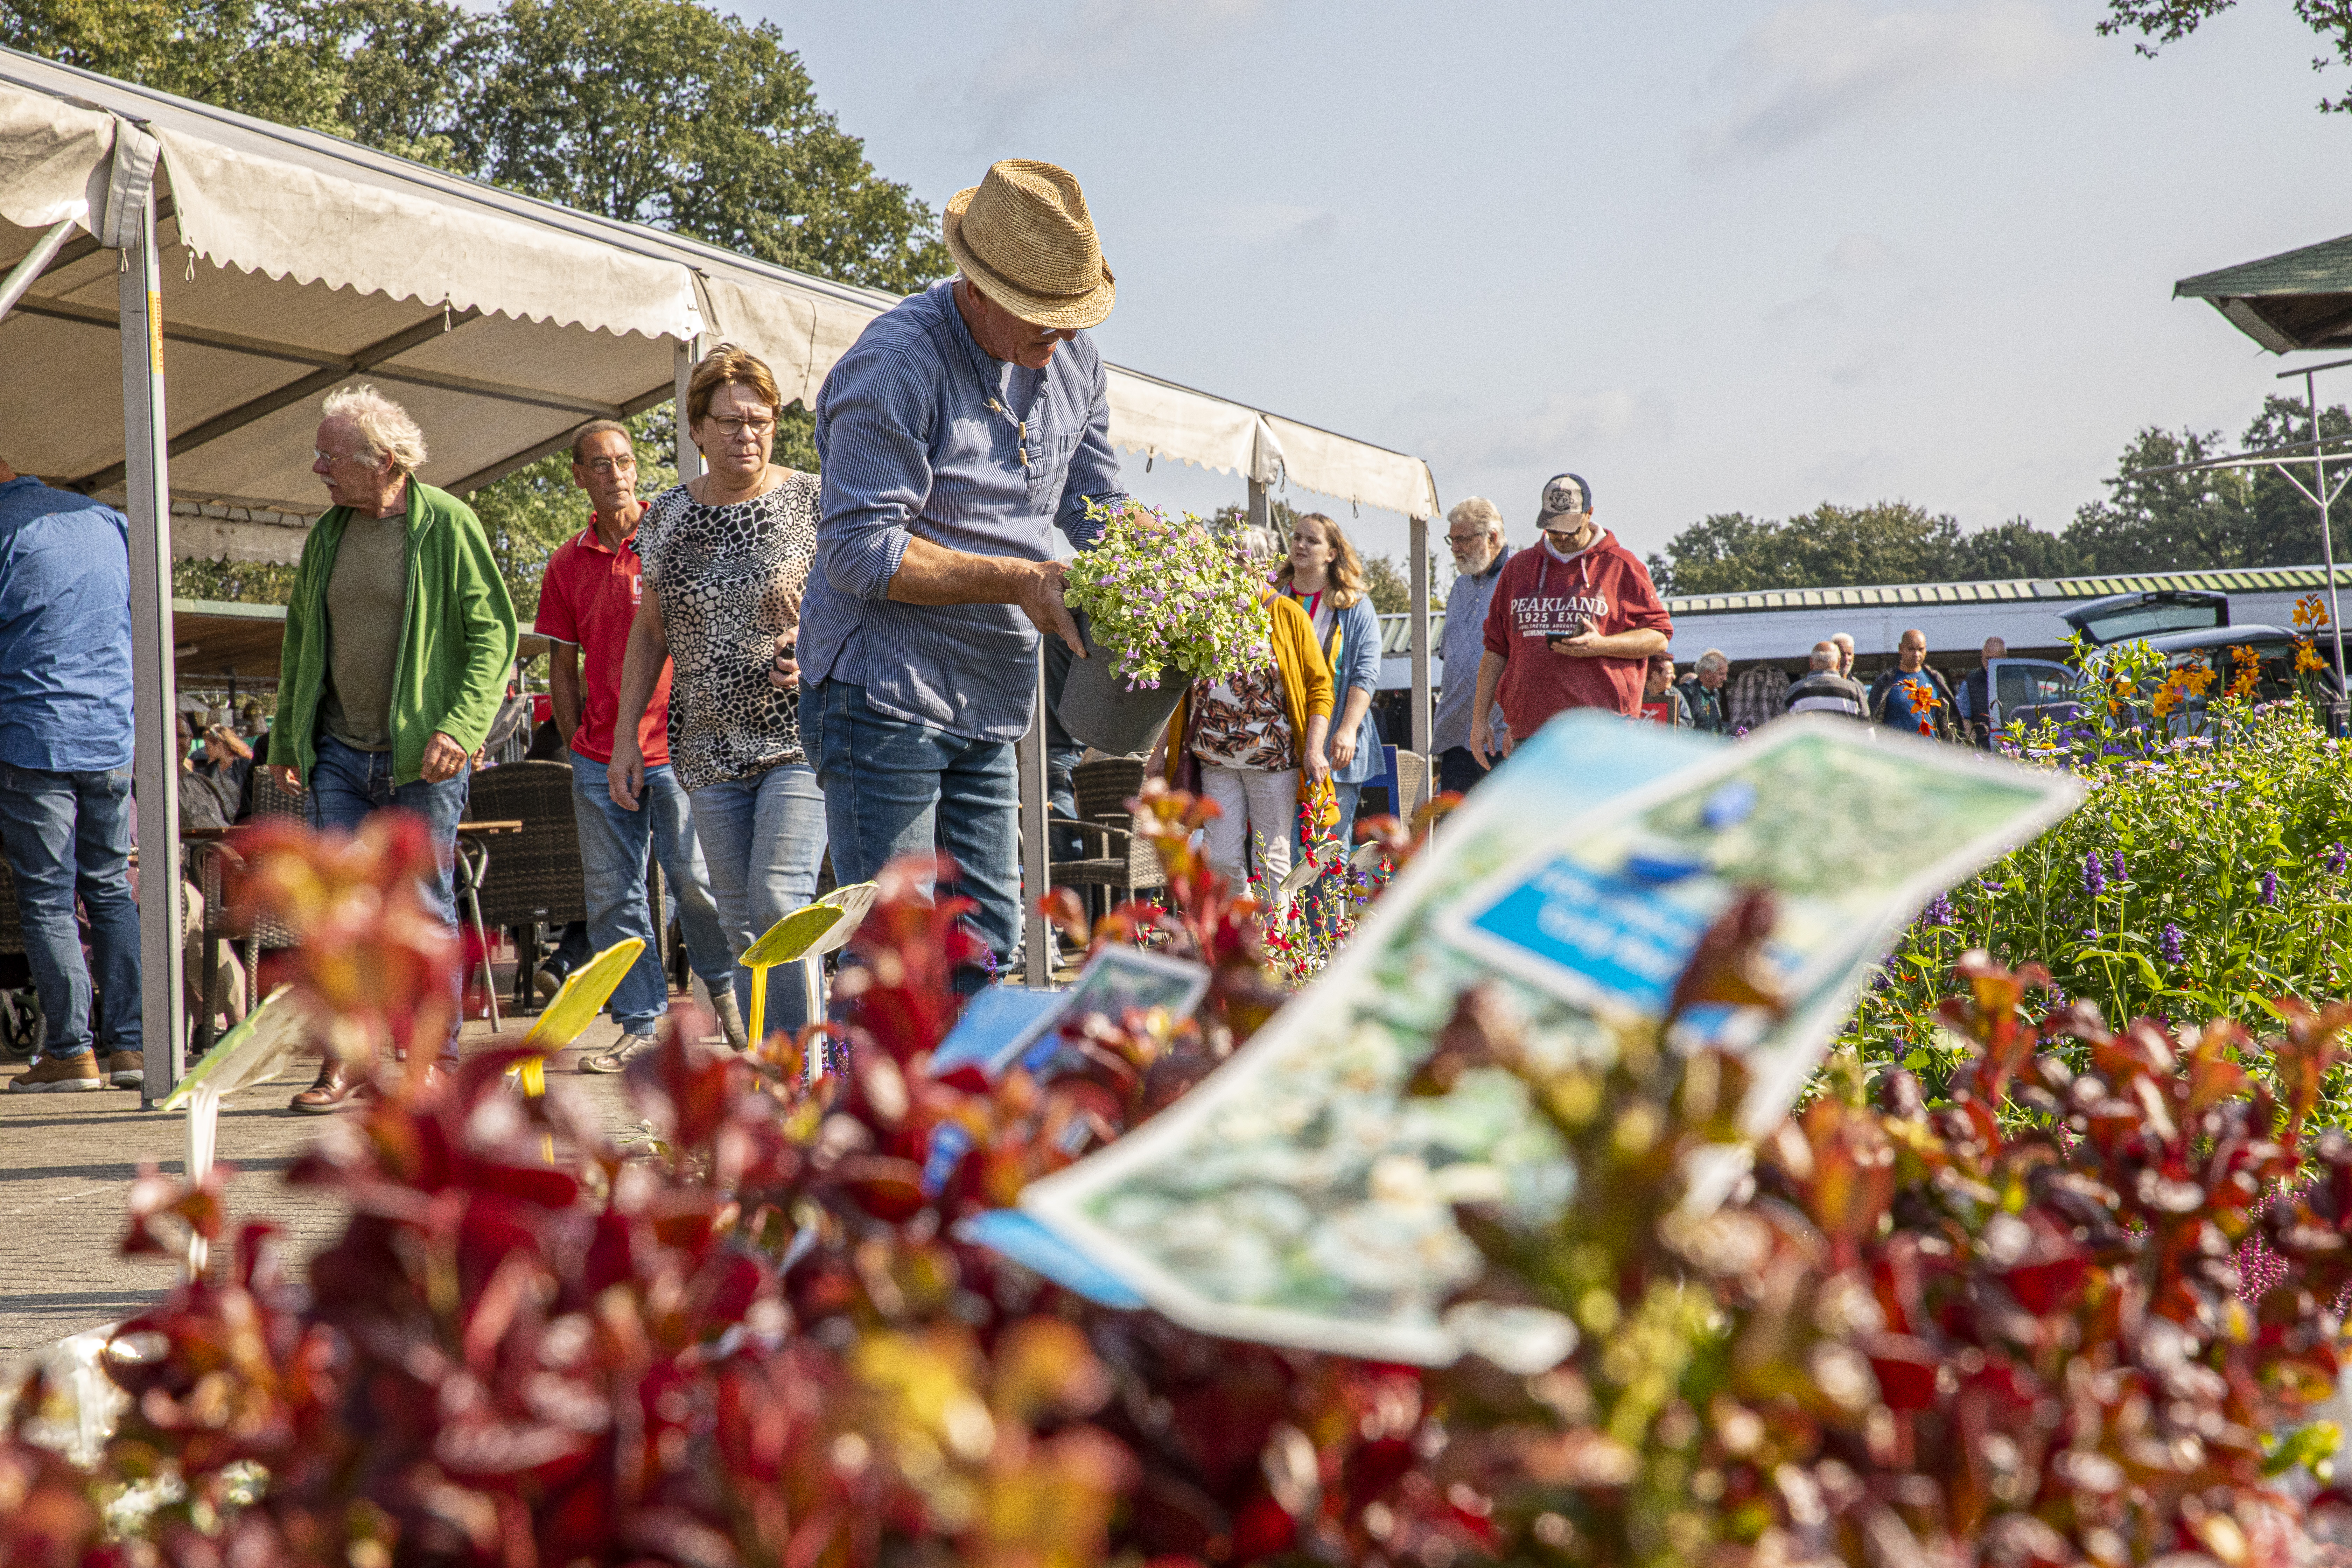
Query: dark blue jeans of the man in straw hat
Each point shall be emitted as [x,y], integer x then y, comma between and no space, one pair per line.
[902,789]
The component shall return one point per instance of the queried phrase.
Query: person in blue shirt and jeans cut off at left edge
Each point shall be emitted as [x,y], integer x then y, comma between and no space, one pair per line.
[67,775]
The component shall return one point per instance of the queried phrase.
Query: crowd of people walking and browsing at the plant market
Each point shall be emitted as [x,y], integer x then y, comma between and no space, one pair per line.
[766,669]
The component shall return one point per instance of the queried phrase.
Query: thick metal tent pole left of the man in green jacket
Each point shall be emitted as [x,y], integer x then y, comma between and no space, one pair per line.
[154,768]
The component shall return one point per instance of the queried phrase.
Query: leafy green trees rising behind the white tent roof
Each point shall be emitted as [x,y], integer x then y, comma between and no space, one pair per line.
[648,112]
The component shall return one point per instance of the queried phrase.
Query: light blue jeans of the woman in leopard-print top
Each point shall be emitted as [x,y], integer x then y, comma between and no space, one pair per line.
[763,840]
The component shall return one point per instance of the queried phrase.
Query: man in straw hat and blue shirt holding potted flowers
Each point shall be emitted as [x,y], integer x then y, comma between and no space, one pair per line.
[958,434]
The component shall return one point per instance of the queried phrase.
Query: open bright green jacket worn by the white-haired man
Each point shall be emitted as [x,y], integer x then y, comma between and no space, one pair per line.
[457,638]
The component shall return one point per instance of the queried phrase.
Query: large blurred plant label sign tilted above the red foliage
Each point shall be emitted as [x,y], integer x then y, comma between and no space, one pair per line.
[1304,1198]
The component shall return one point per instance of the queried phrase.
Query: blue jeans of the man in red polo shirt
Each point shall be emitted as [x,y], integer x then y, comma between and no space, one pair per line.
[613,873]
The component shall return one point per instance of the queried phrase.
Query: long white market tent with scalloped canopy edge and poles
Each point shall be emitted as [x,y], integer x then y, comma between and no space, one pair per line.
[239,269]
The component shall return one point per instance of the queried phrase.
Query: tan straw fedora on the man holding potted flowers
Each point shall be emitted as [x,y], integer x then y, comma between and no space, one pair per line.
[1024,239]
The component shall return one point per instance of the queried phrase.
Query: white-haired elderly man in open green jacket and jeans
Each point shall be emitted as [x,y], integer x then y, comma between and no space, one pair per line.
[399,643]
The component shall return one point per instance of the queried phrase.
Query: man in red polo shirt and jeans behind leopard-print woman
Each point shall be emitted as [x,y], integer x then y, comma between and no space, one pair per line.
[587,605]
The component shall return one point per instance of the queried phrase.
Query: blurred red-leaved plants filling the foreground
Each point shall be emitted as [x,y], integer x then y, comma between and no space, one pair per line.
[2003,1329]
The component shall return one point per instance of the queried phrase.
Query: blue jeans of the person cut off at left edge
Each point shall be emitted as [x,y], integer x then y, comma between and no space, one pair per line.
[74,833]
